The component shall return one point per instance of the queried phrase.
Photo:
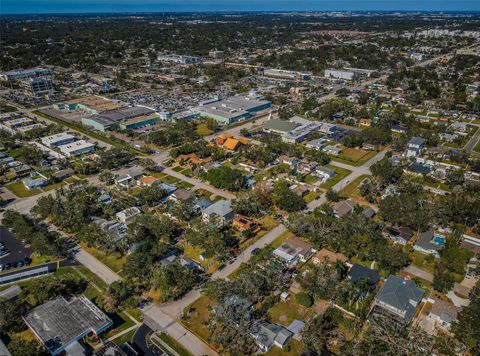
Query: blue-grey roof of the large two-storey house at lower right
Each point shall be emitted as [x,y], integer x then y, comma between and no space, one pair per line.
[398,292]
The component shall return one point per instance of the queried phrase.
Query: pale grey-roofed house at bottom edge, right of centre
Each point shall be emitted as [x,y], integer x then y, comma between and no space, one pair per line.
[267,335]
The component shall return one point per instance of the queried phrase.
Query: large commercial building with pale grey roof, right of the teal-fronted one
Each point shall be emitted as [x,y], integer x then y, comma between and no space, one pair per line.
[230,110]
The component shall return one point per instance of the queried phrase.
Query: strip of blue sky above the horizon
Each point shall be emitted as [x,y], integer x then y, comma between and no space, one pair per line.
[108,6]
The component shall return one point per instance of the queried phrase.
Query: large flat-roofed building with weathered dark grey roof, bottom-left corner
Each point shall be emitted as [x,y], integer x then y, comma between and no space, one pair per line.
[59,324]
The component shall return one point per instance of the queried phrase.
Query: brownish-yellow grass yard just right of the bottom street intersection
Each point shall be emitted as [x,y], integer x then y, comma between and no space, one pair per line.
[198,317]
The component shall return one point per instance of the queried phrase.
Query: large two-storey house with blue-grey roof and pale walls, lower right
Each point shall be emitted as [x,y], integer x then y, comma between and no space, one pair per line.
[398,298]
